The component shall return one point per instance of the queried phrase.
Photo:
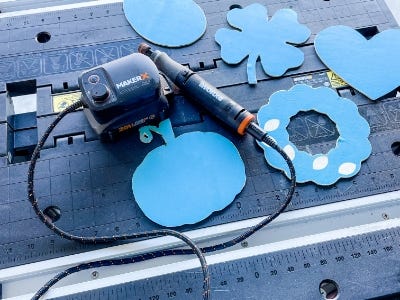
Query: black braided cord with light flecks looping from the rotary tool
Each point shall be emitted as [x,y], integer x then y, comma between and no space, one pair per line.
[156,233]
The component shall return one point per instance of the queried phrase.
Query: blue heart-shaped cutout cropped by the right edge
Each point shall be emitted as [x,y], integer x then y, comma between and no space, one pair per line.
[370,66]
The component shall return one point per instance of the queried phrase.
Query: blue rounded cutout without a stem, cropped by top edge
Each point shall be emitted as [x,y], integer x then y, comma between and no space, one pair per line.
[169,23]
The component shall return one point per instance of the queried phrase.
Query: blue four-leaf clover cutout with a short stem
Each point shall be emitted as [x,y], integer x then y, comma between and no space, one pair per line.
[256,37]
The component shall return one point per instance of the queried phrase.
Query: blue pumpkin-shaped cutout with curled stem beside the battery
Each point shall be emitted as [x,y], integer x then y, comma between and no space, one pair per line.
[188,178]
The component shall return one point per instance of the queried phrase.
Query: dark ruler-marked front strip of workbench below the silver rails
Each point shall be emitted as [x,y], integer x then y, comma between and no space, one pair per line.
[371,261]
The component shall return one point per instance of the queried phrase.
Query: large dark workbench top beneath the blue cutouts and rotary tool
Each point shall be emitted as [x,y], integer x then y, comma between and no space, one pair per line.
[91,182]
